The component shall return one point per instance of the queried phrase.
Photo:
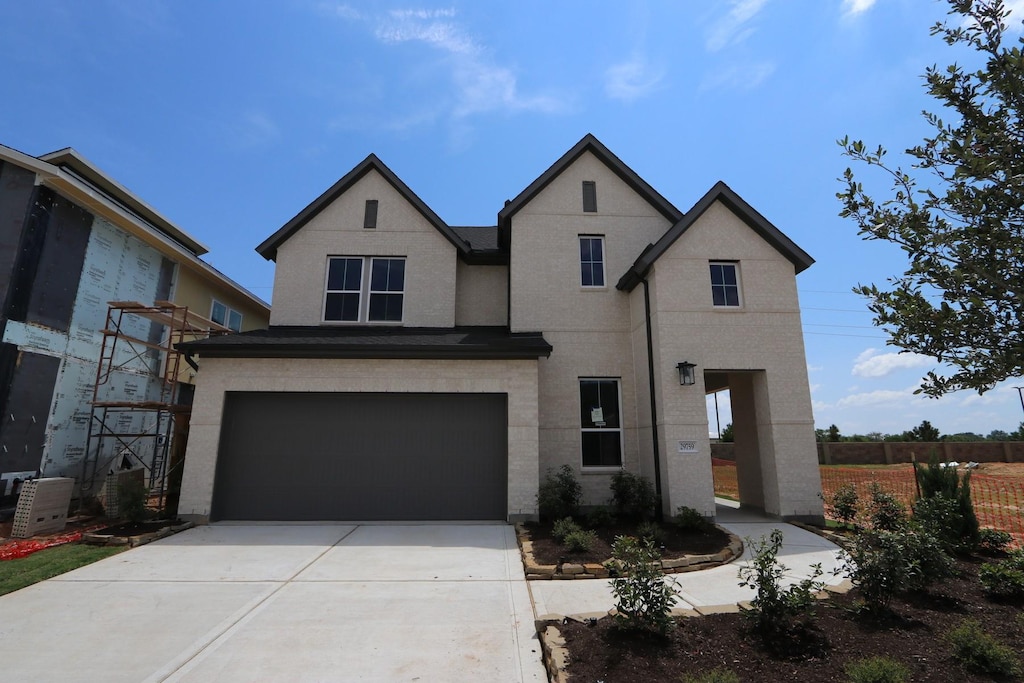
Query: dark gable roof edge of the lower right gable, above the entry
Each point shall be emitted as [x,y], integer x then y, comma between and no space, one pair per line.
[720,193]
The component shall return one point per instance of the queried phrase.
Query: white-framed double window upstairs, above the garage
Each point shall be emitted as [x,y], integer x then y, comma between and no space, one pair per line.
[365,289]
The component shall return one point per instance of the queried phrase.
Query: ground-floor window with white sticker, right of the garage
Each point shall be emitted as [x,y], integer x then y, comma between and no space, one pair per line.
[600,420]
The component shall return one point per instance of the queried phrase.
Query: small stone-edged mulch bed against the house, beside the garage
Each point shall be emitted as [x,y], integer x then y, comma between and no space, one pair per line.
[677,543]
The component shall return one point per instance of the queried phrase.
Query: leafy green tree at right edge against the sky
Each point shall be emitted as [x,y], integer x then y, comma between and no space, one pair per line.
[960,217]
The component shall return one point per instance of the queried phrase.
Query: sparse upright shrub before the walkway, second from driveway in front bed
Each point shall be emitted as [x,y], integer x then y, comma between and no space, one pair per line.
[776,612]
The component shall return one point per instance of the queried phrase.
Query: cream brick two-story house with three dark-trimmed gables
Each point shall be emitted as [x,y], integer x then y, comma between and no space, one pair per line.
[415,370]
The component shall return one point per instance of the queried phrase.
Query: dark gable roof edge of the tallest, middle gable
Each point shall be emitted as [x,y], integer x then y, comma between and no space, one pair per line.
[594,146]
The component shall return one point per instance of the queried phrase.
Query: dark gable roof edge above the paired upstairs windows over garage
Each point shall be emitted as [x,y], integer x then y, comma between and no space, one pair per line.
[269,249]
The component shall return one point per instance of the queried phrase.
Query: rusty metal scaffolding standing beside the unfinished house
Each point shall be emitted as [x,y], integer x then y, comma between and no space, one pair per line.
[138,407]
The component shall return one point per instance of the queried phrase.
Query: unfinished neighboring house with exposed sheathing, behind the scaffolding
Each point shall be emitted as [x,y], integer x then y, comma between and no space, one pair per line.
[73,240]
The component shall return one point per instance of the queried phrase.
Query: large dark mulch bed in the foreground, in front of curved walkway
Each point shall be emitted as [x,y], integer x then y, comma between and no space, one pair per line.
[914,636]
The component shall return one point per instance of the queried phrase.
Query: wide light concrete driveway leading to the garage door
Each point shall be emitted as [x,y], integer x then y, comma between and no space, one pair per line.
[284,603]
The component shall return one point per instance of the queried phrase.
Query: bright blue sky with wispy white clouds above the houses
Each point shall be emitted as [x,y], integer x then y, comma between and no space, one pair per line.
[231,117]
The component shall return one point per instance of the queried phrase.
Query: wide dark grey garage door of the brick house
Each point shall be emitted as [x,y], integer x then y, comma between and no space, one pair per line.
[290,456]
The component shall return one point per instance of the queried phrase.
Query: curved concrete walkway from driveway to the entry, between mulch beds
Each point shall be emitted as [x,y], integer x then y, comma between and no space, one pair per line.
[801,549]
